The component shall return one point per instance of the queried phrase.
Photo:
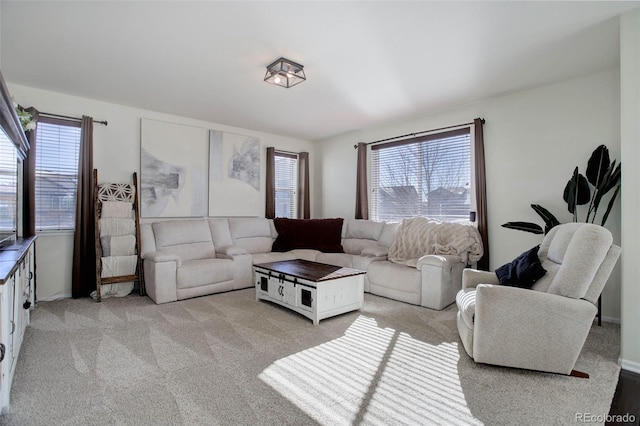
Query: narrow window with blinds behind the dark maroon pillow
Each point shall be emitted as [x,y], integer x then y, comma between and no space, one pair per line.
[286,185]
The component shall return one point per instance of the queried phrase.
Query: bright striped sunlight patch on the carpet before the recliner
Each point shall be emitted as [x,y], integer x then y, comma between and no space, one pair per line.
[376,376]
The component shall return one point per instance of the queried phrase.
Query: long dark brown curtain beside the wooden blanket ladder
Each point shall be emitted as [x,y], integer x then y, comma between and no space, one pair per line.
[84,256]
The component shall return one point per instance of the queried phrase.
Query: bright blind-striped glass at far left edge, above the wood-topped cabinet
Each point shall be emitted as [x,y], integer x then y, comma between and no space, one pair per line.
[8,184]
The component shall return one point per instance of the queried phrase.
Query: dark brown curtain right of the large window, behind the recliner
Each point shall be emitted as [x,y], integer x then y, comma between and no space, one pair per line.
[481,192]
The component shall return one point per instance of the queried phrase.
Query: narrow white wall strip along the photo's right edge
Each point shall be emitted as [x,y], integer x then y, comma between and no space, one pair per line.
[630,135]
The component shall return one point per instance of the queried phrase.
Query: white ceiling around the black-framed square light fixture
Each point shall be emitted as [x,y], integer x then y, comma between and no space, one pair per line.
[366,62]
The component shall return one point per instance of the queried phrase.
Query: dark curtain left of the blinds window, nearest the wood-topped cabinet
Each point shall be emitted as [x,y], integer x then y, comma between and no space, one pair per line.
[29,182]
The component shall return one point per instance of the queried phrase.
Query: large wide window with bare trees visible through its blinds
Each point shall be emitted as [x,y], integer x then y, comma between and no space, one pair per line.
[424,176]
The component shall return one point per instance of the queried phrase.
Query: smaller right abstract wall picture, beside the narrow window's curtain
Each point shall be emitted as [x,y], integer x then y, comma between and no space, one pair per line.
[234,175]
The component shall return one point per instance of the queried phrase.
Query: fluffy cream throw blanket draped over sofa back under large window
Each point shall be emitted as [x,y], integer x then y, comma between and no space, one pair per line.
[419,236]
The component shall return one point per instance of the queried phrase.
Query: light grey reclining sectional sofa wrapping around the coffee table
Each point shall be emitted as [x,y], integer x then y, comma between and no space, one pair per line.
[195,257]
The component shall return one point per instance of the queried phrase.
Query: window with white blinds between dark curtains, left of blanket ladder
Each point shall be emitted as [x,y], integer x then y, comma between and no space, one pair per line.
[58,145]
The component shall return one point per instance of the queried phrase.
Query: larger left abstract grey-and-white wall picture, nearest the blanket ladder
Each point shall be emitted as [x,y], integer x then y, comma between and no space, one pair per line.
[173,165]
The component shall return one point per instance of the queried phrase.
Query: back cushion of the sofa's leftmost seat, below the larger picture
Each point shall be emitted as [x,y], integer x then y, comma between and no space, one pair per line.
[189,239]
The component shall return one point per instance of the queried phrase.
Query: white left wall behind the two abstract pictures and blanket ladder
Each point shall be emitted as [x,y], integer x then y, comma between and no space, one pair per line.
[116,156]
